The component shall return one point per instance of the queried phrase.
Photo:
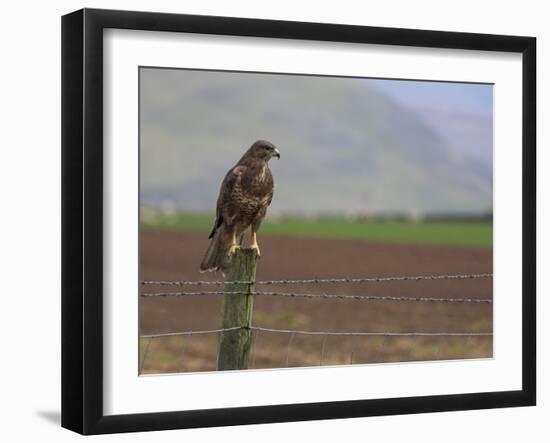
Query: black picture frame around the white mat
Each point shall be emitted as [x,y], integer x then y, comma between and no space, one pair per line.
[82,220]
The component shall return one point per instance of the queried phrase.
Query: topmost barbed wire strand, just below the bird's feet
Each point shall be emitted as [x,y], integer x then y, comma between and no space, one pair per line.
[315,280]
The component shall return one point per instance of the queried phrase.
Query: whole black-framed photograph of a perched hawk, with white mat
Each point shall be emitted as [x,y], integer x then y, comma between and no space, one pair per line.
[269,221]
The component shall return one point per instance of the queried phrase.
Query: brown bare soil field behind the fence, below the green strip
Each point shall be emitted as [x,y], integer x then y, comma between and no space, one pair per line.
[174,255]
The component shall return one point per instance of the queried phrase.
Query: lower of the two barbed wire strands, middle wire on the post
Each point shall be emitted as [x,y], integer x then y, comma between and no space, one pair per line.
[321,296]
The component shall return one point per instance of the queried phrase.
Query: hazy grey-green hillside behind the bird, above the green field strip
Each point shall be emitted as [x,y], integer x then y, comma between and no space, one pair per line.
[346,148]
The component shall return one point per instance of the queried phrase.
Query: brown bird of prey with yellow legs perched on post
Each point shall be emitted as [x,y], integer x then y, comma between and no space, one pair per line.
[245,194]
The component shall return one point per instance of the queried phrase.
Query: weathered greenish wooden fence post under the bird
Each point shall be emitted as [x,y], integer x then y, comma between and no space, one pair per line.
[234,346]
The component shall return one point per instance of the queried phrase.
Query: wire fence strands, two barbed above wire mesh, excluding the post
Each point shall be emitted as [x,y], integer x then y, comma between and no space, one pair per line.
[324,334]
